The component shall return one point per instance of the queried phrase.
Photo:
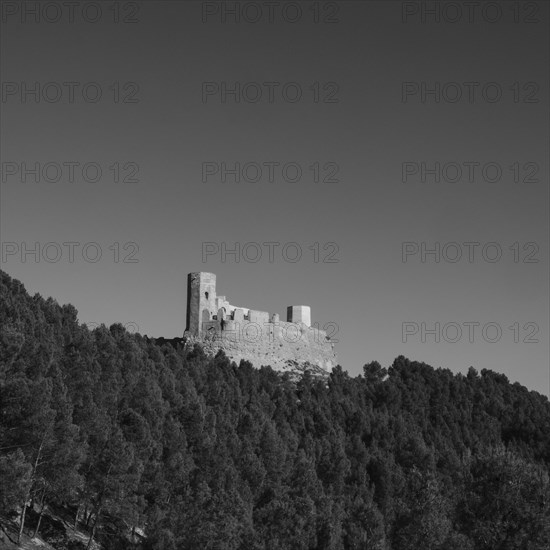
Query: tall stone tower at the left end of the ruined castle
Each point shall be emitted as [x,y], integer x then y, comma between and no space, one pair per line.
[201,300]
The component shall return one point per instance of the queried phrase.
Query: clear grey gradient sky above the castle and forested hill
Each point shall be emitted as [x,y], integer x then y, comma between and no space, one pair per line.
[369,212]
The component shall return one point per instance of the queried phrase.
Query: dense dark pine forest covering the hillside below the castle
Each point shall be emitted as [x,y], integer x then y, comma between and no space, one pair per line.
[150,447]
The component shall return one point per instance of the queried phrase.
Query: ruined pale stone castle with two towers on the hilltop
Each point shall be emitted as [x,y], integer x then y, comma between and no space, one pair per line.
[255,336]
